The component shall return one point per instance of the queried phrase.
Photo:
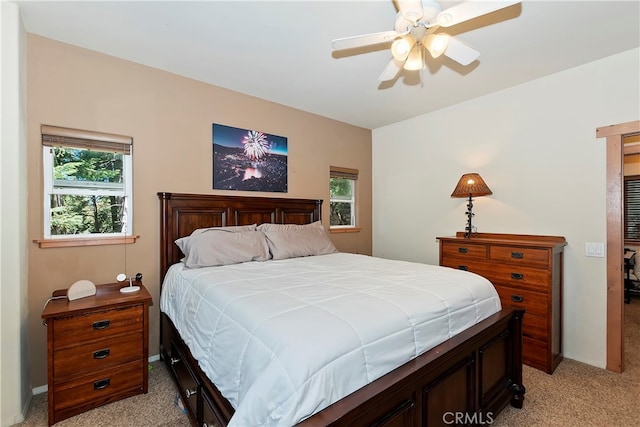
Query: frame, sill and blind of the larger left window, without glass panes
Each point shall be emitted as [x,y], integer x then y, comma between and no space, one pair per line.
[93,141]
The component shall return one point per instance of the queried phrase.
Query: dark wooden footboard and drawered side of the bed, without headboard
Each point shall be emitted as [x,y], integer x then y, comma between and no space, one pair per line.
[468,379]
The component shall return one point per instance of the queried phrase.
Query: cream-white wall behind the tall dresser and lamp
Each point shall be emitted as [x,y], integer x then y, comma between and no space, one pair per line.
[535,146]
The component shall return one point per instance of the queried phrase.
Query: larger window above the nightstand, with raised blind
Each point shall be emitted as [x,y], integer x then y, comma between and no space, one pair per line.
[87,183]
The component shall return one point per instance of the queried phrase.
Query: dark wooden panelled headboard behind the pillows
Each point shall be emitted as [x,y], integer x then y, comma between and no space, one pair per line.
[180,214]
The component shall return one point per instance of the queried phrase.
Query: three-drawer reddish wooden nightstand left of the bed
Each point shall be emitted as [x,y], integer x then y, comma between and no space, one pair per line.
[98,349]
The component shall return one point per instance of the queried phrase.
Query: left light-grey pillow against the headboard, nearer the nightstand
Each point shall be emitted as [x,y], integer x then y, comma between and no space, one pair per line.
[223,247]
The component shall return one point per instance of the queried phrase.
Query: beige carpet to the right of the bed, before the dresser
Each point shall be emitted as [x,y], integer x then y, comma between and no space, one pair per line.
[582,395]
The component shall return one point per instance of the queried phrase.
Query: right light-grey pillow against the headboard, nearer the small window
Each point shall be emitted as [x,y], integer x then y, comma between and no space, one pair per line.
[292,243]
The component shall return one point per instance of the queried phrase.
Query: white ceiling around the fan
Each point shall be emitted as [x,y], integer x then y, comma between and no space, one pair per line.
[281,50]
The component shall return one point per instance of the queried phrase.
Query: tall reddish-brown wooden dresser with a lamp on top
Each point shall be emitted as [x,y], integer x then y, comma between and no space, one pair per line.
[527,273]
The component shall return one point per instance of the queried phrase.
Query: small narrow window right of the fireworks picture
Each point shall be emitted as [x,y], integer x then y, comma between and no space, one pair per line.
[343,197]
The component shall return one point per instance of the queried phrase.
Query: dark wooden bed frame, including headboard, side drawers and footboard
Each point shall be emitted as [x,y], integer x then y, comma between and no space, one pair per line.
[468,379]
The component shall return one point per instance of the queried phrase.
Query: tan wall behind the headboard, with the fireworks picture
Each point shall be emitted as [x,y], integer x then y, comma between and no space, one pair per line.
[170,119]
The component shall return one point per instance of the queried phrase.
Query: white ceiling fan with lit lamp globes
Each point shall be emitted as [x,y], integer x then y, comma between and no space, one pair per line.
[416,32]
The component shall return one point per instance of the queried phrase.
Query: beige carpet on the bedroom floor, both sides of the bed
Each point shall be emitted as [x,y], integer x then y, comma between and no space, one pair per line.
[575,395]
